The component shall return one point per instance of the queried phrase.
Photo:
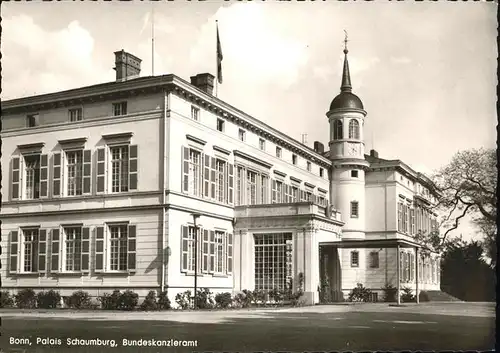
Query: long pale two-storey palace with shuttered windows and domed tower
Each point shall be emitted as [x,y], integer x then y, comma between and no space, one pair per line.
[118,185]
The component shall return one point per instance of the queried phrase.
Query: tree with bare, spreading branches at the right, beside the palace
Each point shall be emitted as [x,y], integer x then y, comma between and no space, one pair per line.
[467,186]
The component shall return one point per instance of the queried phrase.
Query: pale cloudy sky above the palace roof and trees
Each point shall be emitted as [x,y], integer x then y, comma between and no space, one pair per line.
[426,72]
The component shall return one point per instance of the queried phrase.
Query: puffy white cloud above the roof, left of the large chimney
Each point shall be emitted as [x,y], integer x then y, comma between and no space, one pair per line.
[52,60]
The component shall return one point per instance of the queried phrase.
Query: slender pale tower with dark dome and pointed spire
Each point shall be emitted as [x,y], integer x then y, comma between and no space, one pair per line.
[347,152]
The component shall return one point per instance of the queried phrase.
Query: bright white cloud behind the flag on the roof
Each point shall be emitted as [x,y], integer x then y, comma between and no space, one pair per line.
[254,46]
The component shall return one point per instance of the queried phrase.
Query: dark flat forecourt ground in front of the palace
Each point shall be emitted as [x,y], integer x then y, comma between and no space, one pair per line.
[428,326]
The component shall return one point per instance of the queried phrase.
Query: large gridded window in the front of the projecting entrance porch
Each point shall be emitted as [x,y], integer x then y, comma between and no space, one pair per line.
[273,261]
